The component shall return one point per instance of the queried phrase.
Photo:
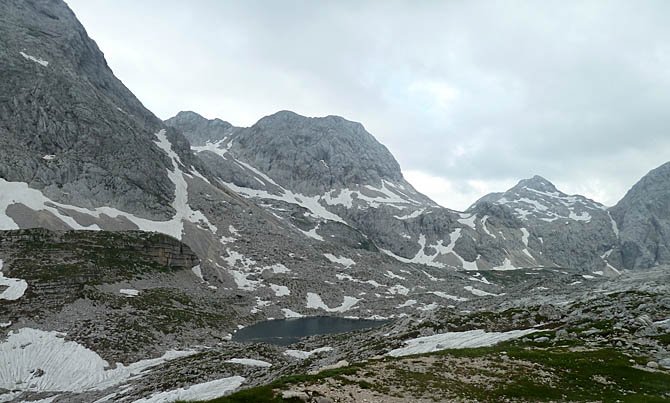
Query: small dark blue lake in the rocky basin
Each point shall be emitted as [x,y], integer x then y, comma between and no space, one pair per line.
[288,331]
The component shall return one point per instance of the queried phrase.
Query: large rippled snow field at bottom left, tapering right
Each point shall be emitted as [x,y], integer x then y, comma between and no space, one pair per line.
[67,365]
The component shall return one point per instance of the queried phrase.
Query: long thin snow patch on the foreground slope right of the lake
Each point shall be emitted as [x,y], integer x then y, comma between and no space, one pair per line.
[443,341]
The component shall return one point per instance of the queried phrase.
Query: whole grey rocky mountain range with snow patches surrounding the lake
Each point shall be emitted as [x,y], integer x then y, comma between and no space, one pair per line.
[146,243]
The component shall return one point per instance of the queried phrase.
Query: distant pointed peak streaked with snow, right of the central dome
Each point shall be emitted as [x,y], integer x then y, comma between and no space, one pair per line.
[564,230]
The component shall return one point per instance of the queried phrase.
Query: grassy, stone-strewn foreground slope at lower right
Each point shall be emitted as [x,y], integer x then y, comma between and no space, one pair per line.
[612,344]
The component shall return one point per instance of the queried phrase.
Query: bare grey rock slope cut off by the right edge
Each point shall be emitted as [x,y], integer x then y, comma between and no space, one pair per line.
[643,216]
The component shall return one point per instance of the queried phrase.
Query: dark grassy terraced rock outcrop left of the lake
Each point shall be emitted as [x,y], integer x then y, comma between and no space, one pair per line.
[82,282]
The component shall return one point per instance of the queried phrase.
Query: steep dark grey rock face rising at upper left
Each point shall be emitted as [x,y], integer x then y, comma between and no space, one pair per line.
[68,126]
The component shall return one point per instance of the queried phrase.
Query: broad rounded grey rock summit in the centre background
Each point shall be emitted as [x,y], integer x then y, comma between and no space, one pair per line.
[309,155]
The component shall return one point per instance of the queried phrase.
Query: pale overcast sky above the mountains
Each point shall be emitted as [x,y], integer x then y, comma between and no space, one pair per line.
[470,96]
